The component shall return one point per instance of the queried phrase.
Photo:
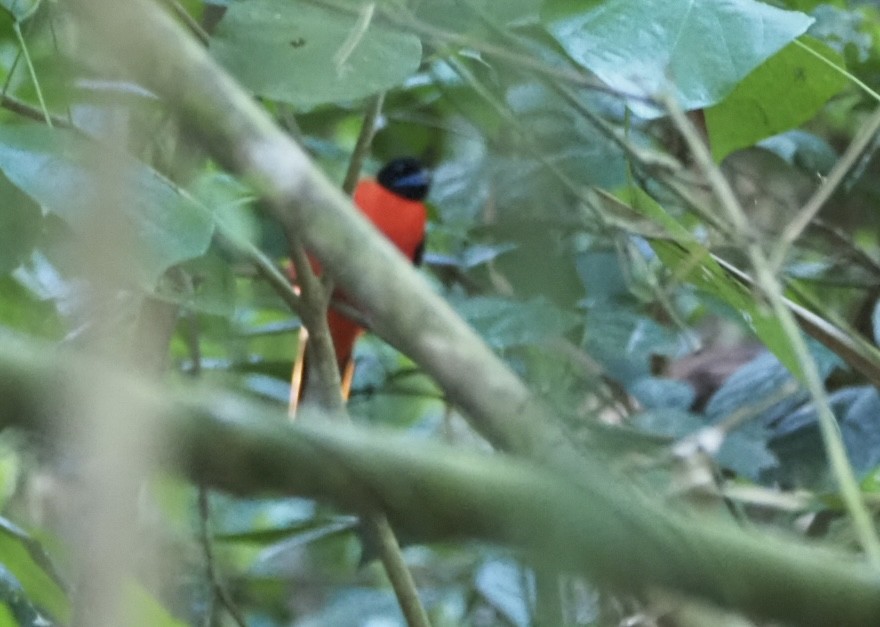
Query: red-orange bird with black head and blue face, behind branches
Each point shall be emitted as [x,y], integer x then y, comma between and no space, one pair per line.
[394,204]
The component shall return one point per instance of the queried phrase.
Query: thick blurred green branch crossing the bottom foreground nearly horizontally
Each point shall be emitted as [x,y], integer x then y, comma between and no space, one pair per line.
[436,493]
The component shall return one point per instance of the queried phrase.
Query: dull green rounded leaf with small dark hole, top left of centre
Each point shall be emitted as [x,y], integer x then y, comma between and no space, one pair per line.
[309,55]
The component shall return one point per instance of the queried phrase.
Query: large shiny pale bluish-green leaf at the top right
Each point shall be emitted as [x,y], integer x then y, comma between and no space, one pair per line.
[696,49]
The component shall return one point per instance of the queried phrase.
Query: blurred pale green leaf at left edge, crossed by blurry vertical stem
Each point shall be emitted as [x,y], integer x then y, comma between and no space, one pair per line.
[51,167]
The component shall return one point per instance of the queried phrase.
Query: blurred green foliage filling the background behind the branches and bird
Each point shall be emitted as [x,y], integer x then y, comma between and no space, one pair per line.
[607,323]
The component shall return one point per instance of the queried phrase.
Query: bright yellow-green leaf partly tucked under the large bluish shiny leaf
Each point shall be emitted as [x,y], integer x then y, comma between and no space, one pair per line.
[782,93]
